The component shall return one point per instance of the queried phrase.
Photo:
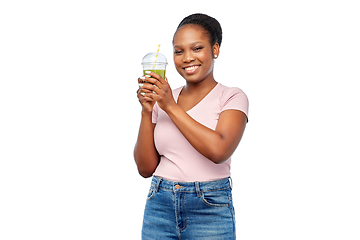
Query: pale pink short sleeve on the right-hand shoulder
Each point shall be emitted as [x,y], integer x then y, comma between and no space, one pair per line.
[235,99]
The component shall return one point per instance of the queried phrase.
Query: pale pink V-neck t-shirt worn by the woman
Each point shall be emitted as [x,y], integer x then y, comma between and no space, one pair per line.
[180,161]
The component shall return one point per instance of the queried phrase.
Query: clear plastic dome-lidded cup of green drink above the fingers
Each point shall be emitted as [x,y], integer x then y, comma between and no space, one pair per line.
[156,64]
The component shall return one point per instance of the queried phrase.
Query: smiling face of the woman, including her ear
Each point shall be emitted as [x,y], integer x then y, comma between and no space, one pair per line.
[193,53]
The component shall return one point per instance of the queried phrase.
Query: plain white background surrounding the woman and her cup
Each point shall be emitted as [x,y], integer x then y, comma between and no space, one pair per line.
[69,115]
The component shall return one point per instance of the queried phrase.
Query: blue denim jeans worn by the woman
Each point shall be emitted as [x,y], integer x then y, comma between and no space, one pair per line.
[189,210]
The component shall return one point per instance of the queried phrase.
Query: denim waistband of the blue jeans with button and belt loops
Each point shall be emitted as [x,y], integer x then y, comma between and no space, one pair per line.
[198,187]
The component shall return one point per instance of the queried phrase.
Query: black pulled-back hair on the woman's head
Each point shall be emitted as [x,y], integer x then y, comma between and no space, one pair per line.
[209,24]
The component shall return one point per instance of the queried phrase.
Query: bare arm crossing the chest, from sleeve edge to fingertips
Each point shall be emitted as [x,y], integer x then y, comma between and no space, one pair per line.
[217,145]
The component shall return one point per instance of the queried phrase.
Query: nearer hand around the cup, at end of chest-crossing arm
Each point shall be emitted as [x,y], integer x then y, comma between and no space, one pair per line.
[160,90]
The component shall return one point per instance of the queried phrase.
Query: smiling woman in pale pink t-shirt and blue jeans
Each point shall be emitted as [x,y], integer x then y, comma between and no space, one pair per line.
[186,139]
